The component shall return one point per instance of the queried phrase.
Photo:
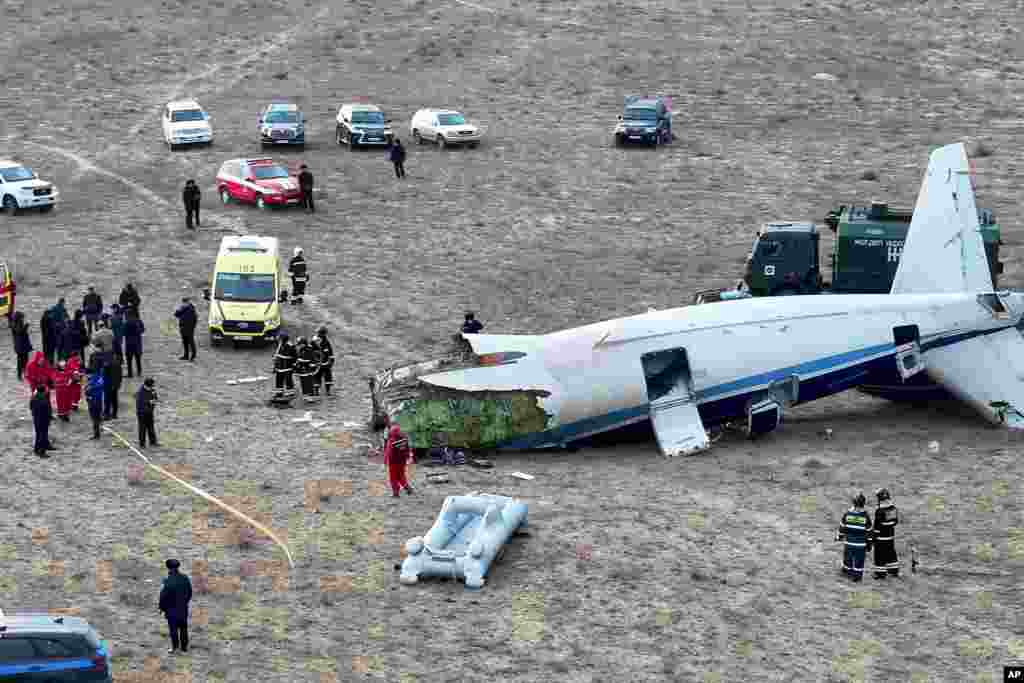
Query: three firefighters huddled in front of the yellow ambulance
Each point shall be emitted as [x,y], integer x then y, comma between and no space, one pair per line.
[311,361]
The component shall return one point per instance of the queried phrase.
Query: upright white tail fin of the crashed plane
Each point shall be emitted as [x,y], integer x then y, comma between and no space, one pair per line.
[945,251]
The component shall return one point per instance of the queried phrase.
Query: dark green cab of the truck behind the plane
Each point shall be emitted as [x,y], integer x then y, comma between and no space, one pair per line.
[785,261]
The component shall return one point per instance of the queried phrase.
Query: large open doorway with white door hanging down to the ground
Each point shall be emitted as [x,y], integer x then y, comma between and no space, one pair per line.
[673,411]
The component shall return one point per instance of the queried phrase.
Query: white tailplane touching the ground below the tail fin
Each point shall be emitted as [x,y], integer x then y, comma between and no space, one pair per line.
[987,372]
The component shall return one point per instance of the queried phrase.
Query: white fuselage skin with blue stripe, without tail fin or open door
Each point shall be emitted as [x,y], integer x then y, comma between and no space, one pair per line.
[735,351]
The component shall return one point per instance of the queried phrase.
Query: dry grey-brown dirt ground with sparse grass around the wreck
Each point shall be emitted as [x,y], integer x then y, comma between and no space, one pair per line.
[717,568]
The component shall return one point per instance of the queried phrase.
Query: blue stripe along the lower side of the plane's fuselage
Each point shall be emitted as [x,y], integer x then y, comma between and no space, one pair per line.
[717,411]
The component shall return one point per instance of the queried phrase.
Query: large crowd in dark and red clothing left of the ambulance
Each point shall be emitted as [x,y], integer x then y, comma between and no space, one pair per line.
[57,374]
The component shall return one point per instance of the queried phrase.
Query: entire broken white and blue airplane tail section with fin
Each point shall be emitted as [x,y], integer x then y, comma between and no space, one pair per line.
[691,369]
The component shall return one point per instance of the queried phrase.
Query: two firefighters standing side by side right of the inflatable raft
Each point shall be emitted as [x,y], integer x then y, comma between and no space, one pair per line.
[860,535]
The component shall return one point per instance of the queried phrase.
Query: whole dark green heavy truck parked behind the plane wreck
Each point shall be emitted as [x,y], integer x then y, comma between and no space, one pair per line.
[786,258]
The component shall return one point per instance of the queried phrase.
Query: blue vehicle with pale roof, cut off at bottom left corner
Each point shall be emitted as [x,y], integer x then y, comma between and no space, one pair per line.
[44,648]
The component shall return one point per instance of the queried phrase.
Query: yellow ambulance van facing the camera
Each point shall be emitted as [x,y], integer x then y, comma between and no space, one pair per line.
[246,291]
